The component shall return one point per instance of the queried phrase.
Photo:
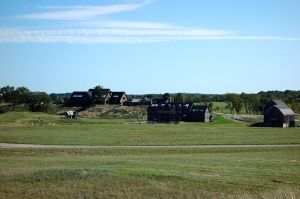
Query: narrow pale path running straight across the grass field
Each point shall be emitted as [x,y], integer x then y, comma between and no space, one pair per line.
[12,145]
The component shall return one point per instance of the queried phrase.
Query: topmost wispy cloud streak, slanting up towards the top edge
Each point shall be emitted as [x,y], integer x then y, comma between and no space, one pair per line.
[81,12]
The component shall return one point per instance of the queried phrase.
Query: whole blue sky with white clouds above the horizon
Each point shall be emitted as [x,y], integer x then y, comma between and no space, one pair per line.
[151,46]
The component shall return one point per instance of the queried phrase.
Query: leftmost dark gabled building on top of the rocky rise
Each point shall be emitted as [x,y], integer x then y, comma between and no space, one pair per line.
[80,99]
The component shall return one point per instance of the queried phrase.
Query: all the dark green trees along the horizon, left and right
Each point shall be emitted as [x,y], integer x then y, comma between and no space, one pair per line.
[251,103]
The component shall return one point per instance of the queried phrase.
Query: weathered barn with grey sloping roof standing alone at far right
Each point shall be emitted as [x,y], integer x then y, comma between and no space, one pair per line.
[278,114]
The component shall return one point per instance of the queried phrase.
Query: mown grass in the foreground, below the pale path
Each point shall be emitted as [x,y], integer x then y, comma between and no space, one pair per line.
[150,173]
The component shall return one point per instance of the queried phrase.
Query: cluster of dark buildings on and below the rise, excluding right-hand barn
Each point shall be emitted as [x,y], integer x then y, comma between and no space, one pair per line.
[161,111]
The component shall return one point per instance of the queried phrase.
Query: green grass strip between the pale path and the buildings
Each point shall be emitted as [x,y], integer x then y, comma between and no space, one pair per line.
[39,128]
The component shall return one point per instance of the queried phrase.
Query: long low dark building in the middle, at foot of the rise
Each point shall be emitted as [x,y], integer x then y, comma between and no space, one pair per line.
[174,112]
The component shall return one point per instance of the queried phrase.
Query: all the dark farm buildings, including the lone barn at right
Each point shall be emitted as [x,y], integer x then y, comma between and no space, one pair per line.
[276,113]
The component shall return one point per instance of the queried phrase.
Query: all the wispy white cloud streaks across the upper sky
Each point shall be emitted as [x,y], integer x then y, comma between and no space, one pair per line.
[83,26]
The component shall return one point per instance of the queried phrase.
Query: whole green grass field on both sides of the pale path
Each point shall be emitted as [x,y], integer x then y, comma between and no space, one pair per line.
[145,172]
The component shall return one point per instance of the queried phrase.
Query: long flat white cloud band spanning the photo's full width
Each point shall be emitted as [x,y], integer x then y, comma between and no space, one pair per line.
[98,36]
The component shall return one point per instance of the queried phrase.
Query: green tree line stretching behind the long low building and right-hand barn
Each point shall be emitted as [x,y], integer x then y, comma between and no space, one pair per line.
[251,103]
